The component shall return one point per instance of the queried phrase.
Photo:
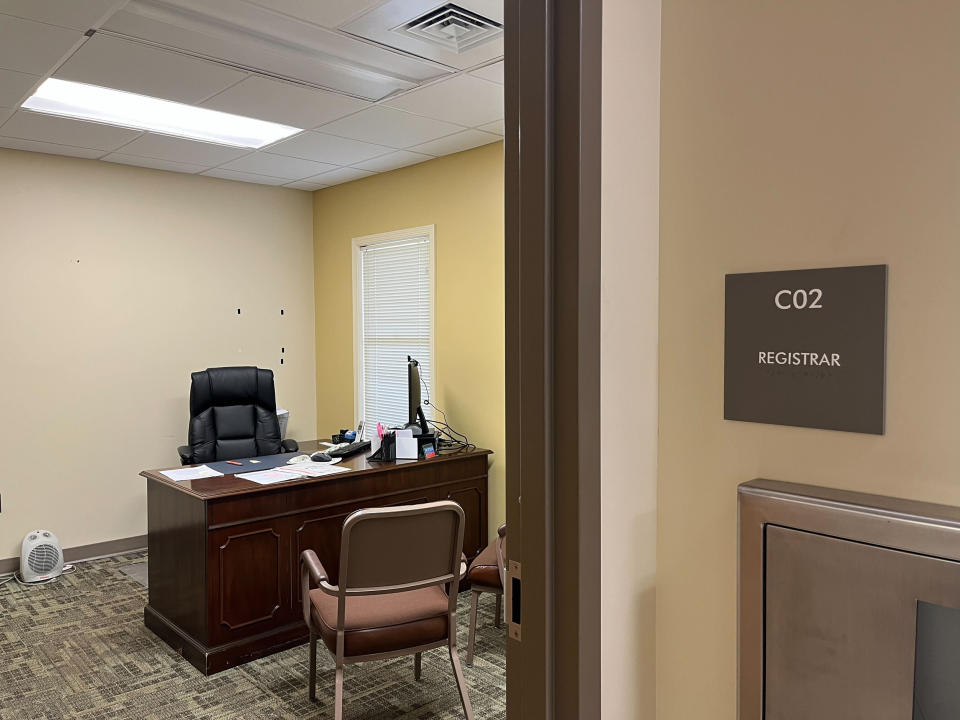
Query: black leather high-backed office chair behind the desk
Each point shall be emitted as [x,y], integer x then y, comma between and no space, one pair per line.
[233,414]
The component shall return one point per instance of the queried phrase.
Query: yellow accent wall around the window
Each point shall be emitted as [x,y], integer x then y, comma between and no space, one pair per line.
[462,195]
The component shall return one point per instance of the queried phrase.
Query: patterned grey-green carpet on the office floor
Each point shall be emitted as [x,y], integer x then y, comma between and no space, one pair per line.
[77,648]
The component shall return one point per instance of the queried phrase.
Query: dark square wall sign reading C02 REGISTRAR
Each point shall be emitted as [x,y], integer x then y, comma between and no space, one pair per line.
[807,348]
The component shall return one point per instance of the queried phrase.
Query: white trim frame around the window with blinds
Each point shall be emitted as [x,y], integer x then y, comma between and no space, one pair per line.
[359,243]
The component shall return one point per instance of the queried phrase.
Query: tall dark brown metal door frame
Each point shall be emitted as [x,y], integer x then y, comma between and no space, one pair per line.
[552,260]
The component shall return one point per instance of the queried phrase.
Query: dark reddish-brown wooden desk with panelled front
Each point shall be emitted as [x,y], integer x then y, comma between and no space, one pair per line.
[224,552]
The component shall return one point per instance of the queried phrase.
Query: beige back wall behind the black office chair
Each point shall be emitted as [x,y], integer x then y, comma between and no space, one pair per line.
[115,283]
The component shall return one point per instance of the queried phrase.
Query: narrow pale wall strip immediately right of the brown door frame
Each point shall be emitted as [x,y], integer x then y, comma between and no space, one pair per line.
[628,383]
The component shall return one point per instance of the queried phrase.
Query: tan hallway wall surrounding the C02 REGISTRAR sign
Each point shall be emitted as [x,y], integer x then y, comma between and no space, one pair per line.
[796,135]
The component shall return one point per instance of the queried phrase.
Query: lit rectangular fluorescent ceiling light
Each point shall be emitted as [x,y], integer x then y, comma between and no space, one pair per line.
[115,107]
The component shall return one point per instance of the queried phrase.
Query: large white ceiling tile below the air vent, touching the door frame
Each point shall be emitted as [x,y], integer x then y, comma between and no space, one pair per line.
[463,99]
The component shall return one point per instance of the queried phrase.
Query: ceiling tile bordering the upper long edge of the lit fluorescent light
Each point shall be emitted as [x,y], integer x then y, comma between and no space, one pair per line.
[111,62]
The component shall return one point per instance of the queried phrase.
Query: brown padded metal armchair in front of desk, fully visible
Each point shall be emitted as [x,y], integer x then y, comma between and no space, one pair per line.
[397,592]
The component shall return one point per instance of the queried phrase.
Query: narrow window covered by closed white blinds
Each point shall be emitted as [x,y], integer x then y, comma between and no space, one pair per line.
[393,310]
